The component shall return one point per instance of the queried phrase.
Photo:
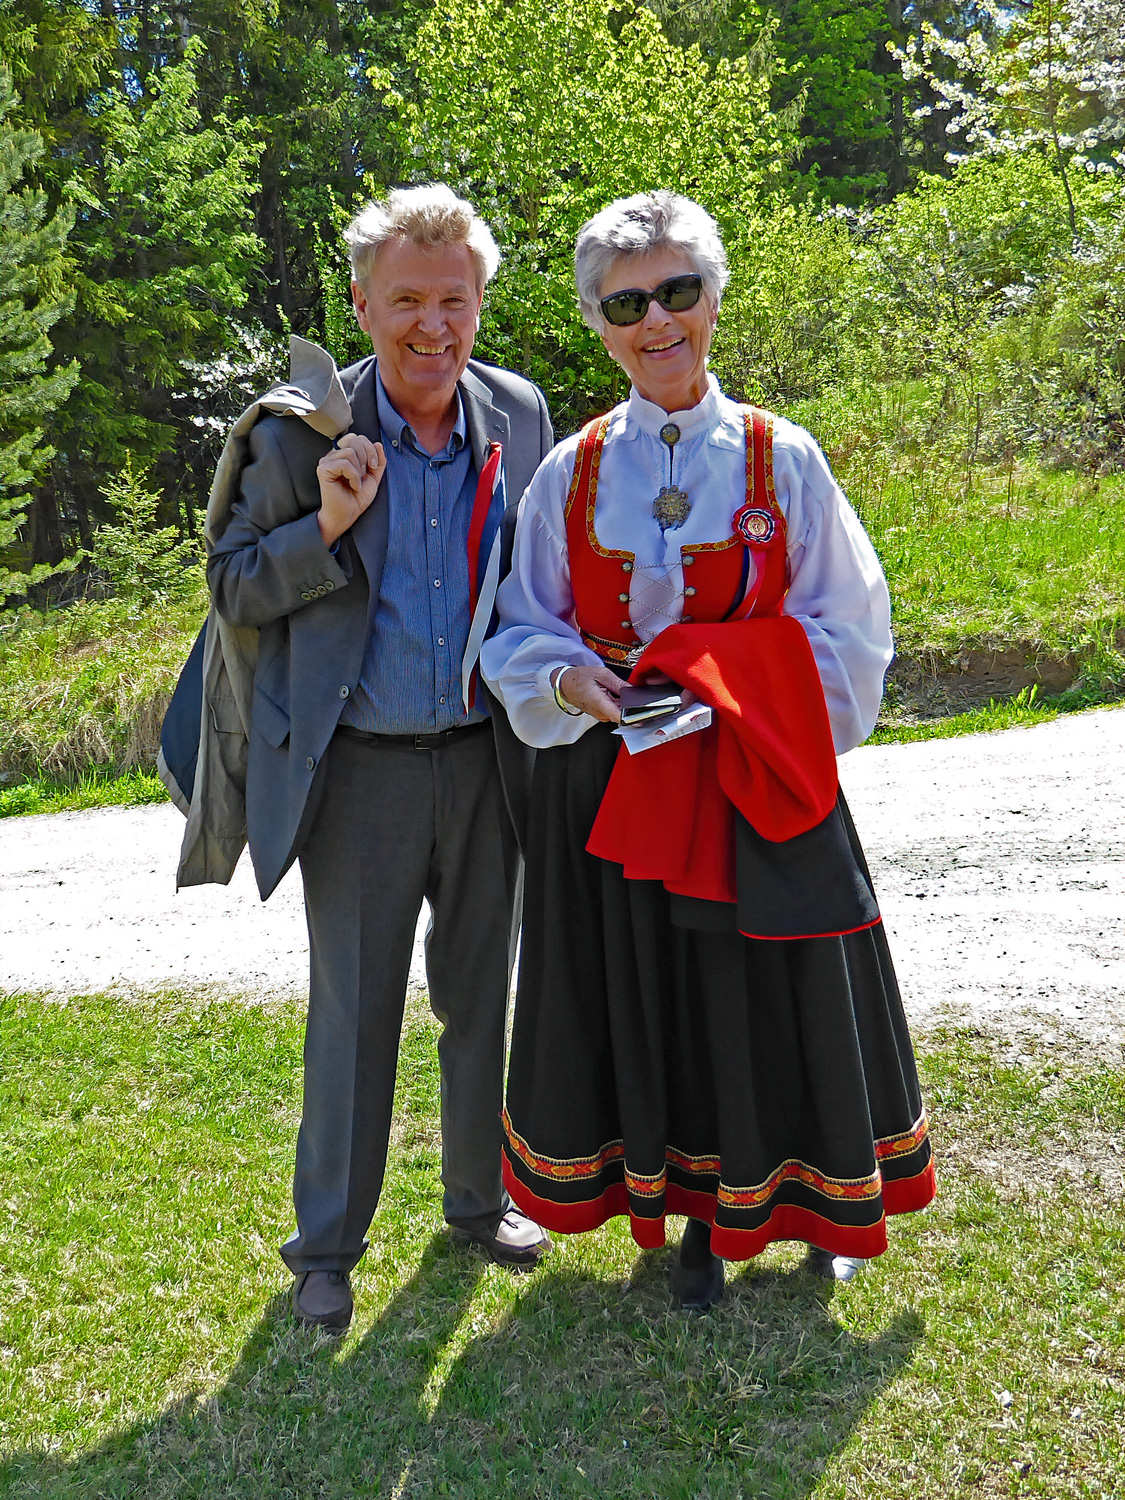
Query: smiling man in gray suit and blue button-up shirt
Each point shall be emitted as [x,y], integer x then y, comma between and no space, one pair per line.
[374,755]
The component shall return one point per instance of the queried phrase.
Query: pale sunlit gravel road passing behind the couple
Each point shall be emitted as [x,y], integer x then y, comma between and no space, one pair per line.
[1000,862]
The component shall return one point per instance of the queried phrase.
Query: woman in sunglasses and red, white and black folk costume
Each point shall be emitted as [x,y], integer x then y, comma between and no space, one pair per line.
[707,1019]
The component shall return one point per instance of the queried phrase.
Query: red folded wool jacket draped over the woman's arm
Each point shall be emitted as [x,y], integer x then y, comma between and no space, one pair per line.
[668,814]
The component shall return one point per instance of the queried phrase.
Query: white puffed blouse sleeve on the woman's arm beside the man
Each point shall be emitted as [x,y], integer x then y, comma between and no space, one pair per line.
[536,608]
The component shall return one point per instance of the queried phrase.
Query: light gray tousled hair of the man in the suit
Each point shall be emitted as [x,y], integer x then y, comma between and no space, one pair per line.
[428,215]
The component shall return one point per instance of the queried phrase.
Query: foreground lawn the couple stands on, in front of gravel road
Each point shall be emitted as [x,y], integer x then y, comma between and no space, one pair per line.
[148,1351]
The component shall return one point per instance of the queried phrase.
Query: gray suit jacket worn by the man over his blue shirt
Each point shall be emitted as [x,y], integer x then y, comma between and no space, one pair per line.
[314,611]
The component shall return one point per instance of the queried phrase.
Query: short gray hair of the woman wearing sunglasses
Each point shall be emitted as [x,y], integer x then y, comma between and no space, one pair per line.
[649,221]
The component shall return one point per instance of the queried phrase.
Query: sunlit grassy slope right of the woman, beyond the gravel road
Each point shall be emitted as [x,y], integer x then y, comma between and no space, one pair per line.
[977,554]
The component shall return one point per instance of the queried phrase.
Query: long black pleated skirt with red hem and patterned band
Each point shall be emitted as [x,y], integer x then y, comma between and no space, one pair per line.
[764,1087]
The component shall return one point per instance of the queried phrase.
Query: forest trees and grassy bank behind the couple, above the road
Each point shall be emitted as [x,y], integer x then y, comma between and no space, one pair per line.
[923,206]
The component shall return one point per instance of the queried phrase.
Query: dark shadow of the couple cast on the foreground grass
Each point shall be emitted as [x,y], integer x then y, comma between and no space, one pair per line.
[476,1385]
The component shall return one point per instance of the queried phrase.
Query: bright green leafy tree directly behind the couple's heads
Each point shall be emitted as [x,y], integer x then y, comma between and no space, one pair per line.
[544,136]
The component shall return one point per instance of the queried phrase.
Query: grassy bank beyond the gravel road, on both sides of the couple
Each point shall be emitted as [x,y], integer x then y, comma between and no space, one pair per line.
[1013,557]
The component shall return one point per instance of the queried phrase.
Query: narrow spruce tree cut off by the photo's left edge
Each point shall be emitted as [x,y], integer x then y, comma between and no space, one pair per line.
[34,298]
